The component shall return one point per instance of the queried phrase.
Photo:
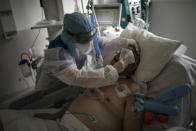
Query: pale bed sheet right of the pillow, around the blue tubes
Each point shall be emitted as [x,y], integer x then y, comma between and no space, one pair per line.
[181,69]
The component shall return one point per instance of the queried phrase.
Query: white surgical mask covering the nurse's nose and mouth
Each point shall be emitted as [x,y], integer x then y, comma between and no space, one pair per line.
[84,47]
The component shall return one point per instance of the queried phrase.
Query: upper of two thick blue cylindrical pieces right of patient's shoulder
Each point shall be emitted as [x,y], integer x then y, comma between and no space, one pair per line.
[174,93]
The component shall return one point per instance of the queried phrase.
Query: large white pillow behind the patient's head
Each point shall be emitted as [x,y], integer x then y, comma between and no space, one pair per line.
[155,52]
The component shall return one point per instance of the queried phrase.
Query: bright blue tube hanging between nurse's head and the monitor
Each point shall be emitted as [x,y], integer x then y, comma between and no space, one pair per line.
[95,39]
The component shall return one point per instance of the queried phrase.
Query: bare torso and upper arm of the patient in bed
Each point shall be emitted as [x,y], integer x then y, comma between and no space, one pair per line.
[112,113]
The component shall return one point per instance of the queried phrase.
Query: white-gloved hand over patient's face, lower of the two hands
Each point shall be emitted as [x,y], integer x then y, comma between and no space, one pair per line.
[126,57]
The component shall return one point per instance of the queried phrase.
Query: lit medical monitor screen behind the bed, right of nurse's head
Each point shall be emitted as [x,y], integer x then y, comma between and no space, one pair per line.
[108,14]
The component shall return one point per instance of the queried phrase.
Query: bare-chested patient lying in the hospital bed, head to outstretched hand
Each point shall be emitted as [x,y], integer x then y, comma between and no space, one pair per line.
[112,112]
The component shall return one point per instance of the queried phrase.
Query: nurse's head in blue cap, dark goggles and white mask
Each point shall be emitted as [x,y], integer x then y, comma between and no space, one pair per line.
[78,28]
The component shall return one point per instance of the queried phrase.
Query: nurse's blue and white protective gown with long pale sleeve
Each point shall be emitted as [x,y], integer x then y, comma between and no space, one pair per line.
[64,64]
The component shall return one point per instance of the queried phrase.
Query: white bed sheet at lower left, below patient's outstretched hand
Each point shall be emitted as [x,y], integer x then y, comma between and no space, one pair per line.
[23,120]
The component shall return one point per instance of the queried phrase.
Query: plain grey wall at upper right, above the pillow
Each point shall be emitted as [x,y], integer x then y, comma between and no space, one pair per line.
[175,19]
